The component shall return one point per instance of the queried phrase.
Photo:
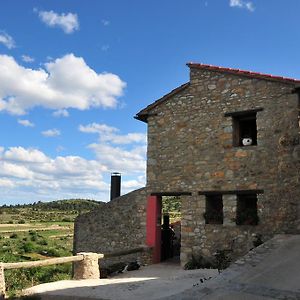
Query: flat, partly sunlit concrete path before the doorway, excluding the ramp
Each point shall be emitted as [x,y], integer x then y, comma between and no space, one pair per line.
[151,282]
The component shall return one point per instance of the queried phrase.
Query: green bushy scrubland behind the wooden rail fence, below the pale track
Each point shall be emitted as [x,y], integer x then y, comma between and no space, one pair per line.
[32,245]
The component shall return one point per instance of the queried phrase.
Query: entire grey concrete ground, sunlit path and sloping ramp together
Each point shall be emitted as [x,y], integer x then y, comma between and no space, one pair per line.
[271,271]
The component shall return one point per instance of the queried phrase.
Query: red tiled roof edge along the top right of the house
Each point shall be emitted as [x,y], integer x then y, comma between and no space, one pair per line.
[242,72]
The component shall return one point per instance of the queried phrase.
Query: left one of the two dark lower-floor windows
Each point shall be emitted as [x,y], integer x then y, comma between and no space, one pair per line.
[214,209]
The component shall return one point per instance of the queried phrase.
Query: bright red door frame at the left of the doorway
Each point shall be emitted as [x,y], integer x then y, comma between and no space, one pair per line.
[153,226]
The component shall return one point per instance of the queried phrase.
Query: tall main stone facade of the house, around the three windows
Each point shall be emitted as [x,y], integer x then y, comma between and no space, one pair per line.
[190,149]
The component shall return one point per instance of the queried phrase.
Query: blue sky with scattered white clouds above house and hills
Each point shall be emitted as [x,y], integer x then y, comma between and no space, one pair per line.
[74,73]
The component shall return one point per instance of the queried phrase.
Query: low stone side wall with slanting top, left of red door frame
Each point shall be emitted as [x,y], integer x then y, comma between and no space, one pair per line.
[116,226]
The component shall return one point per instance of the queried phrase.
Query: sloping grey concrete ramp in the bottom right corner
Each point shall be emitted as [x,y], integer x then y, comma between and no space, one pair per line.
[271,271]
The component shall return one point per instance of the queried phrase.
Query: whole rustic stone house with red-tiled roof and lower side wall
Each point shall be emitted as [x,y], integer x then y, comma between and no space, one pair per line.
[226,143]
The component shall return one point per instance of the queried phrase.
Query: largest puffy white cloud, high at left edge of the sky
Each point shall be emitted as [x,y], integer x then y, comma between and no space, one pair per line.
[55,87]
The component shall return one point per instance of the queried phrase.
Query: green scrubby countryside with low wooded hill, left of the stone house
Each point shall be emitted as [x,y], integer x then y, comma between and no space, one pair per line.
[39,231]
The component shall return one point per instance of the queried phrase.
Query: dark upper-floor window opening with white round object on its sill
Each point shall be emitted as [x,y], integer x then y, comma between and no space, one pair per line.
[244,130]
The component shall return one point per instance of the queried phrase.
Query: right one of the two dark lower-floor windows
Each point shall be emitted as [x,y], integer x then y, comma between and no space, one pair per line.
[246,213]
